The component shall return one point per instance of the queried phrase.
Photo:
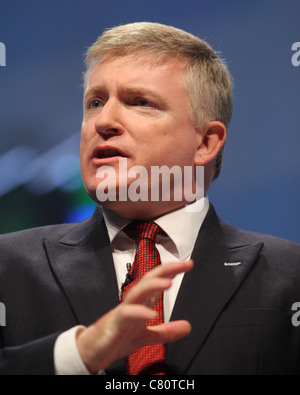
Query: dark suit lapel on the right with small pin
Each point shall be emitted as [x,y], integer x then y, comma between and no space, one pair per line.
[207,289]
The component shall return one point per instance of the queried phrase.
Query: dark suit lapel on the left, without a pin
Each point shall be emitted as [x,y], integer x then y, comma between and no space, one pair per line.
[82,265]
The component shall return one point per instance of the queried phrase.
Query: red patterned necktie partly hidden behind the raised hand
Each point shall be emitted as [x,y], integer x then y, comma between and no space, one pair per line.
[150,359]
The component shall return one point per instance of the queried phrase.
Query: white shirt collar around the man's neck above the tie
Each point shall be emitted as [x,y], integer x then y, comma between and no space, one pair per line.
[182,226]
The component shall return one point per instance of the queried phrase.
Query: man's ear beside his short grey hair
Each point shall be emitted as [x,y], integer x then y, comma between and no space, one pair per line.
[213,137]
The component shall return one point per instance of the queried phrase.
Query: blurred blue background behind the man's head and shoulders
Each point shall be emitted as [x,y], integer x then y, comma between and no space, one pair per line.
[41,105]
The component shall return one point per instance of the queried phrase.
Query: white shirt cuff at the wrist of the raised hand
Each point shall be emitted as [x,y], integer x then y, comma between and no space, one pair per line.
[67,360]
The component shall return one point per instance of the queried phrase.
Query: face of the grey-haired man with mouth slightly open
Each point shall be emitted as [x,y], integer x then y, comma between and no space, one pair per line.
[136,109]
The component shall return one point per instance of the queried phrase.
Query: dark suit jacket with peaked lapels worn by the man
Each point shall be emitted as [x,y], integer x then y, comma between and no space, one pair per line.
[55,277]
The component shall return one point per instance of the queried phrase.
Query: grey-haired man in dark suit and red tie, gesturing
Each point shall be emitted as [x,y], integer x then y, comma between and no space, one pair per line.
[154,96]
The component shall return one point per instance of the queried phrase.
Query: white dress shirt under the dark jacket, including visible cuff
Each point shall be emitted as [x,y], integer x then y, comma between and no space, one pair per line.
[181,226]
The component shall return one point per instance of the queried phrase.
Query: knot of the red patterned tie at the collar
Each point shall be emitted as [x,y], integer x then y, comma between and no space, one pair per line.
[138,230]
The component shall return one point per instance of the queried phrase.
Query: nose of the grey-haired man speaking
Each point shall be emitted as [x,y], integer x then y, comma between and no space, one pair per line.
[108,121]
